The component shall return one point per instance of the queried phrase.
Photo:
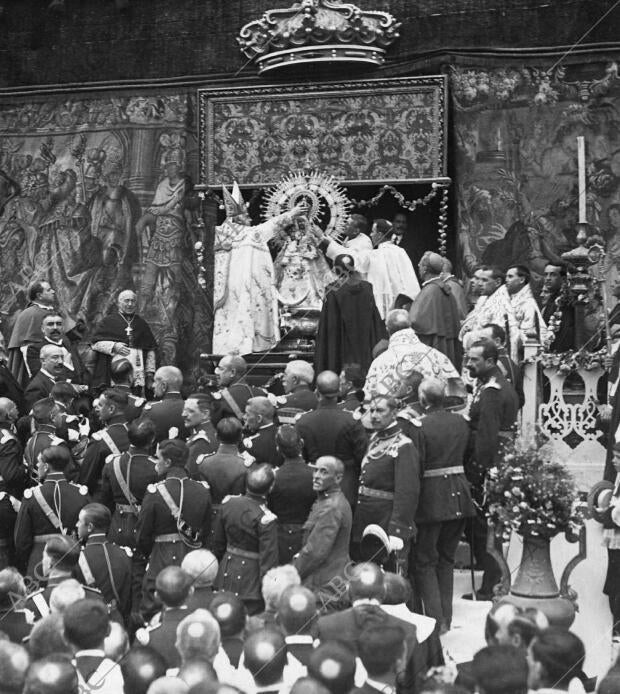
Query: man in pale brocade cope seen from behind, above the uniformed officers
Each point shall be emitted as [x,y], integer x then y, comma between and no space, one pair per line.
[407,353]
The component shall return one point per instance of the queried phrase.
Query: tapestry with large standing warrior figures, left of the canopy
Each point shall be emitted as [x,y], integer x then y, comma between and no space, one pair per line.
[94,200]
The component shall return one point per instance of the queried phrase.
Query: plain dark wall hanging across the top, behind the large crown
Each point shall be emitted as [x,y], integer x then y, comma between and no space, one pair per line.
[92,41]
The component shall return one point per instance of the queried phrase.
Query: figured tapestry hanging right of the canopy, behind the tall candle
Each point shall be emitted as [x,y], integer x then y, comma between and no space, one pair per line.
[515,134]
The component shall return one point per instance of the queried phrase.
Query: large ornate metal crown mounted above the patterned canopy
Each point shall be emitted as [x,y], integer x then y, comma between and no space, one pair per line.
[312,31]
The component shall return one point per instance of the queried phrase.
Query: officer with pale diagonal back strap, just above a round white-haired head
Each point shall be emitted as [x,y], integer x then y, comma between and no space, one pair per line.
[175,516]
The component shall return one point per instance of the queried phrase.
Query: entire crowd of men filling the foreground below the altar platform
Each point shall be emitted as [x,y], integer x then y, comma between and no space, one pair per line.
[239,540]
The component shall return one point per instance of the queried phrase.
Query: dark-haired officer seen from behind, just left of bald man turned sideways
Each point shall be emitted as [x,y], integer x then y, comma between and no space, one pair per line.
[292,495]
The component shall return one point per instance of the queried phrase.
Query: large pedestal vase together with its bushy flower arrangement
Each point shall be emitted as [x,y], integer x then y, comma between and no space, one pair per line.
[531,493]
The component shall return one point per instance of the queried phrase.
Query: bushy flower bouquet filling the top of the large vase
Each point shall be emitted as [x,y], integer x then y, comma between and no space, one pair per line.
[531,493]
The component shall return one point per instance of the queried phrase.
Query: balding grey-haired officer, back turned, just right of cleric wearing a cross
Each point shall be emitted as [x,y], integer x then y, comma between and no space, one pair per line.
[167,412]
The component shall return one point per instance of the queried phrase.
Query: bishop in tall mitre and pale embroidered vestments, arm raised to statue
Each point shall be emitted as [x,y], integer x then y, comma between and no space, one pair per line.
[245,300]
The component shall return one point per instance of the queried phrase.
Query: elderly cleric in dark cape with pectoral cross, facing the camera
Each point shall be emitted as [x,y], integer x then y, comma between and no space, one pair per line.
[124,334]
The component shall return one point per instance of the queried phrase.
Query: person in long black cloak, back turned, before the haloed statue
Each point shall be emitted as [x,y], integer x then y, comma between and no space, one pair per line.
[350,324]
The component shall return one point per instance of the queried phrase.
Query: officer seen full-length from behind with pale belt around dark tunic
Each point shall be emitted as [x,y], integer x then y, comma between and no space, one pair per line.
[445,502]
